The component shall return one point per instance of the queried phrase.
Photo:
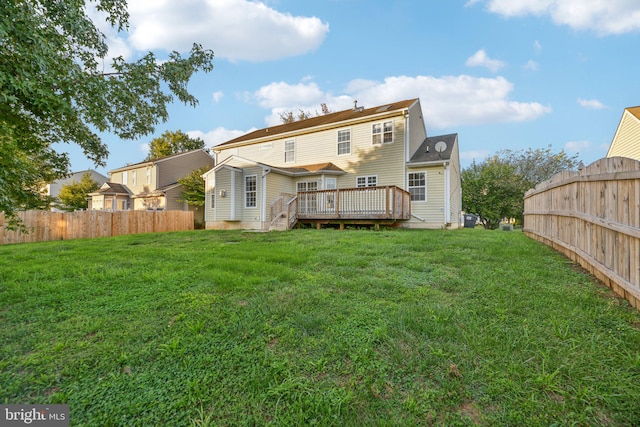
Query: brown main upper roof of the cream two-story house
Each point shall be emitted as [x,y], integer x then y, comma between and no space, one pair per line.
[324,120]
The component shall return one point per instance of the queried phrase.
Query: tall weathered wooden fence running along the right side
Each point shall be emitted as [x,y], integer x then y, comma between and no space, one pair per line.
[593,217]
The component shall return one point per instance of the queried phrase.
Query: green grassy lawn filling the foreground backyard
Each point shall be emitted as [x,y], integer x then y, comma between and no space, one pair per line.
[315,327]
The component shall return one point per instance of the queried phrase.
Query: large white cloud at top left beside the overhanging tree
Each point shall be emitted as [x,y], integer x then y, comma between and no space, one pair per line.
[233,29]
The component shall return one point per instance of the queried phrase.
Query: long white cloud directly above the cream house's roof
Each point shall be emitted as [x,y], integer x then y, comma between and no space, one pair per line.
[447,101]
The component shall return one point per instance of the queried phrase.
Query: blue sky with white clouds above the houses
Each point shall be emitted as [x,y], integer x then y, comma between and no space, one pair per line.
[503,74]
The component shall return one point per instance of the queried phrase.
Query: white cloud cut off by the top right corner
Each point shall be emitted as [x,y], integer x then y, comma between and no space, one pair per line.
[602,16]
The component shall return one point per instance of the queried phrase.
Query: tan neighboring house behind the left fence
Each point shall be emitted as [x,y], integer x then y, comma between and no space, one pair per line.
[149,185]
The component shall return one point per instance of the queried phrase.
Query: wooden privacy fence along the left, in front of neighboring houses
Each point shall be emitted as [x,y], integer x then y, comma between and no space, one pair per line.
[45,225]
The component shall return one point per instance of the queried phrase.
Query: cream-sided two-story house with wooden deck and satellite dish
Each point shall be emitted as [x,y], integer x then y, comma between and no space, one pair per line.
[358,166]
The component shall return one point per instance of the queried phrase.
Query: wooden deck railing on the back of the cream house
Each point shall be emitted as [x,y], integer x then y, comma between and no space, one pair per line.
[386,202]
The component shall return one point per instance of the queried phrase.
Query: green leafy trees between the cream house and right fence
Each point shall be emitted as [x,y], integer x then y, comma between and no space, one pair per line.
[495,188]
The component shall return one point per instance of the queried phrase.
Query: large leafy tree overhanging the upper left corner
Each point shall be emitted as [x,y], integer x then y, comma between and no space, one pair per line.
[54,88]
